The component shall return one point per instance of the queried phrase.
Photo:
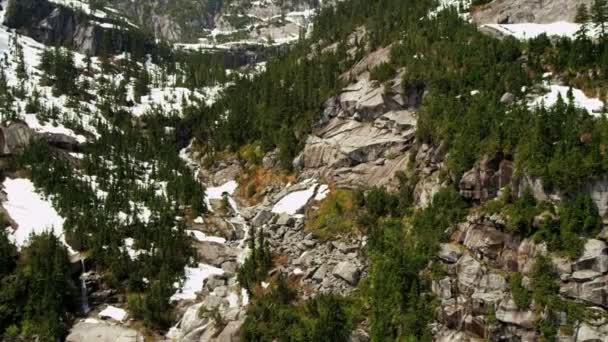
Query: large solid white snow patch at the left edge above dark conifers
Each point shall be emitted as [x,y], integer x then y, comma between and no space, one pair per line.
[31,212]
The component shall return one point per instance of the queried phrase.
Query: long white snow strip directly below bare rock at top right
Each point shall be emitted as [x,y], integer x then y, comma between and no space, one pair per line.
[533,30]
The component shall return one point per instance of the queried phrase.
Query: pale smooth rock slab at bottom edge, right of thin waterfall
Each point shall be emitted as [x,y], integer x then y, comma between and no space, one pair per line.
[99,331]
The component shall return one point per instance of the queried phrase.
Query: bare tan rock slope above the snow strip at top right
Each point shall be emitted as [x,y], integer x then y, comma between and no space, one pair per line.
[524,11]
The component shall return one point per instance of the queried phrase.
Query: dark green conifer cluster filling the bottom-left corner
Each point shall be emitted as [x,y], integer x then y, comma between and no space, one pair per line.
[36,289]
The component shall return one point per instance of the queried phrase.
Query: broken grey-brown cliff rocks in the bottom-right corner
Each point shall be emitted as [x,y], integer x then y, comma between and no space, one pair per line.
[479,260]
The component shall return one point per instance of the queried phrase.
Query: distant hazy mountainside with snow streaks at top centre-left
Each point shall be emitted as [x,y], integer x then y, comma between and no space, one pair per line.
[220,21]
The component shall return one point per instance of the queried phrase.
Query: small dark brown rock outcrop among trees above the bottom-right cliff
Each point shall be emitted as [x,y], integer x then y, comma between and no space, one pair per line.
[483,181]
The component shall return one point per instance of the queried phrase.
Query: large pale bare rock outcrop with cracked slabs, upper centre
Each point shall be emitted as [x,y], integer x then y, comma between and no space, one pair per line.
[363,137]
